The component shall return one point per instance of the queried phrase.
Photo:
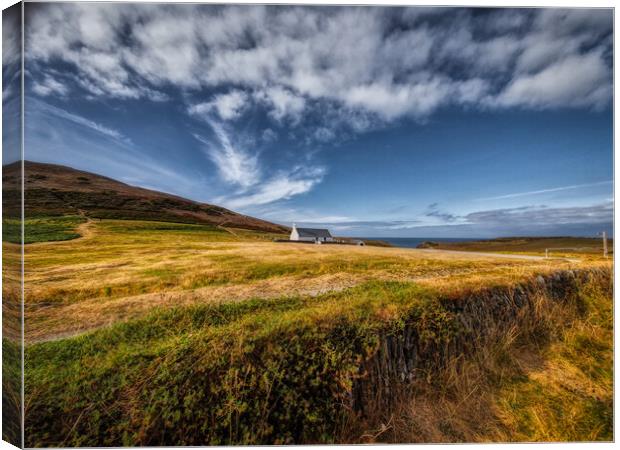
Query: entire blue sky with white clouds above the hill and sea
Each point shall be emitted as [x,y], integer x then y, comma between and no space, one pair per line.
[371,121]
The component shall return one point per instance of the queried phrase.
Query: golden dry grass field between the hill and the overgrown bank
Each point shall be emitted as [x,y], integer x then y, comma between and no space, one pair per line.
[120,270]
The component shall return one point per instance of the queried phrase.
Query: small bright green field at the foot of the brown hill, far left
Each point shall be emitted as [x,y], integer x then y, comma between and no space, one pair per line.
[42,229]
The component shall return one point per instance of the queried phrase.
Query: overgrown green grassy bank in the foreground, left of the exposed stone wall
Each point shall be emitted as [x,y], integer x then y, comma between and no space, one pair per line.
[256,371]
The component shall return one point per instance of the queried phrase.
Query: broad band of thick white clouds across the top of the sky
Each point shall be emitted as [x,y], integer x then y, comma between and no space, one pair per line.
[368,65]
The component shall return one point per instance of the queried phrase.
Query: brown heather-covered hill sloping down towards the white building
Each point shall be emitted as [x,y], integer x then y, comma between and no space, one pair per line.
[54,190]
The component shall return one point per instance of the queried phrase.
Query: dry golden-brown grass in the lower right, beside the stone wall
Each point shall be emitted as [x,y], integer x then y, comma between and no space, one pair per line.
[550,379]
